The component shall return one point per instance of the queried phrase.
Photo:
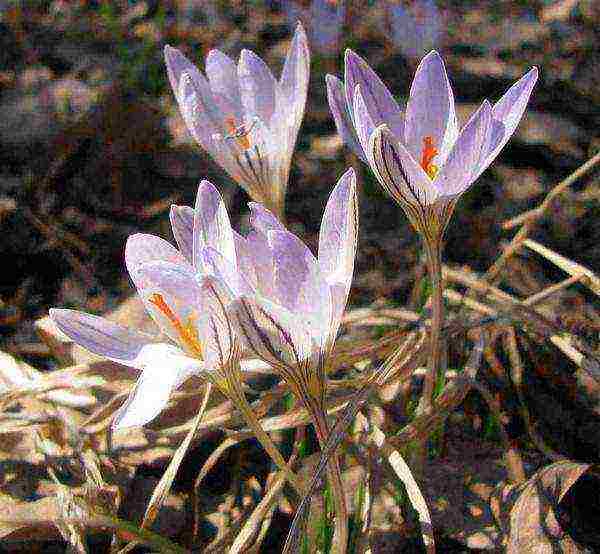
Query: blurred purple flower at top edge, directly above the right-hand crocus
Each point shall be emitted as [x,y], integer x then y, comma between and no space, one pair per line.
[415,26]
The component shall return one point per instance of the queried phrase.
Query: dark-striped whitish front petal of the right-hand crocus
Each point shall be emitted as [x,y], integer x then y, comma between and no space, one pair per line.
[398,173]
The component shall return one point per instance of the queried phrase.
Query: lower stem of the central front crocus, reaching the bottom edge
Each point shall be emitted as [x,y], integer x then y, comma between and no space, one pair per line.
[340,536]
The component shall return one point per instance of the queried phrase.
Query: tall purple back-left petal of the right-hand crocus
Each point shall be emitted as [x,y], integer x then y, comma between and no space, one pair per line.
[379,101]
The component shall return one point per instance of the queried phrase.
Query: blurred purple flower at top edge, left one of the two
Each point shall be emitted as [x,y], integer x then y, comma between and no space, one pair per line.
[323,19]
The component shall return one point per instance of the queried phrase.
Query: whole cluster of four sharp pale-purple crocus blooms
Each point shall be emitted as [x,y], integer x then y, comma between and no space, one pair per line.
[218,294]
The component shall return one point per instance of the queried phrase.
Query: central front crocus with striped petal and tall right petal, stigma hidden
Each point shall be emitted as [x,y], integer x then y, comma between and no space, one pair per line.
[292,318]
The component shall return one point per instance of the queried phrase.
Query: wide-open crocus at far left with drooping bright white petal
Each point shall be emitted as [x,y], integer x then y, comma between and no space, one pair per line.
[185,292]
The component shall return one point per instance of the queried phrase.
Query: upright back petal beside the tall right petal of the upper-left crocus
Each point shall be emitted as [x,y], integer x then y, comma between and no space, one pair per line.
[257,86]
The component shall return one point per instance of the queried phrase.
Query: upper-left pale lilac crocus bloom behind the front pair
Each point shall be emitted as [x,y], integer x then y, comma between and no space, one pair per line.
[243,117]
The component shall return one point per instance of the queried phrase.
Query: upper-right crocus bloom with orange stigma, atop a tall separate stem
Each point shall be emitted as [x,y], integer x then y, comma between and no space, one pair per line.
[419,156]
